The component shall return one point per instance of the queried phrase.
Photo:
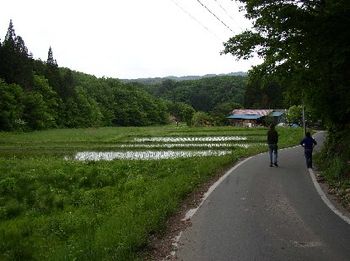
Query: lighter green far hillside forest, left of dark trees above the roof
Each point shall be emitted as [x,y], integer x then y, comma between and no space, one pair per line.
[217,96]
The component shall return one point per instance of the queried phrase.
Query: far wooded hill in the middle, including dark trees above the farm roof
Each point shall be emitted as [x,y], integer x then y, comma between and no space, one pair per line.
[213,98]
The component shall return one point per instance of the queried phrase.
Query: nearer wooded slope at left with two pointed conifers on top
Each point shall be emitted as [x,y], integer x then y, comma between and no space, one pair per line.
[38,95]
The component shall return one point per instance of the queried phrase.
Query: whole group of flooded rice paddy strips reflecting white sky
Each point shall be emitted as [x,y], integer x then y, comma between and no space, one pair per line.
[158,148]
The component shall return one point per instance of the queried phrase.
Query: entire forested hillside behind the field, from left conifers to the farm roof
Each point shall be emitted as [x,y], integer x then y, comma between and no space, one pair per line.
[37,94]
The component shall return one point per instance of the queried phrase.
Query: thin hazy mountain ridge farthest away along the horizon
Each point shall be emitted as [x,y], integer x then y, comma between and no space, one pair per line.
[157,80]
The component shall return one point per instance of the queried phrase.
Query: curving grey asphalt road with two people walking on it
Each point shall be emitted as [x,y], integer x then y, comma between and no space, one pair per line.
[264,213]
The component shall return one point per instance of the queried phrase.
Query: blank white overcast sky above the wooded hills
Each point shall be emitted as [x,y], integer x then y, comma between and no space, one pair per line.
[129,39]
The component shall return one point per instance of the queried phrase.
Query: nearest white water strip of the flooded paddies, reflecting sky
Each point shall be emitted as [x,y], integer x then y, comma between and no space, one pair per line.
[146,155]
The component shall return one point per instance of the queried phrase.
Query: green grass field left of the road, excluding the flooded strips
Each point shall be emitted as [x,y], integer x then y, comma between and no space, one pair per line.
[53,207]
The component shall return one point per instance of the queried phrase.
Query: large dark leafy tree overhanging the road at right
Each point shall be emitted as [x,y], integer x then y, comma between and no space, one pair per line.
[306,46]
